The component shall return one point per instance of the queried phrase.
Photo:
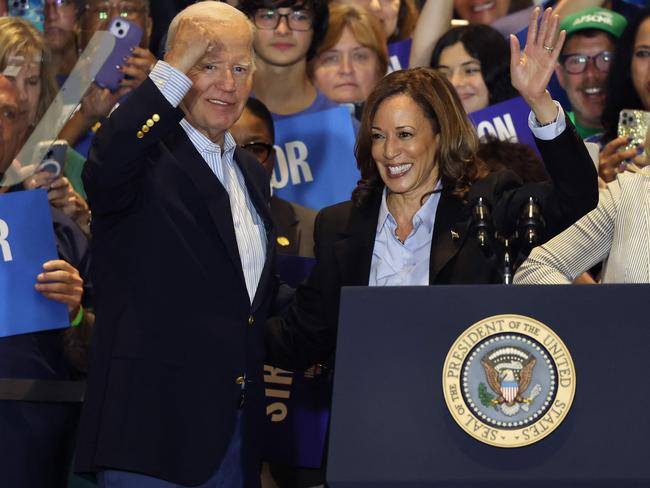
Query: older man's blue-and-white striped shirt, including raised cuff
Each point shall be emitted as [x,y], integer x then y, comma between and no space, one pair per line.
[249,227]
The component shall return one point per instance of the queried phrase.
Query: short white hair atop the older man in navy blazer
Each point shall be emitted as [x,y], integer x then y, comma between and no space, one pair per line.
[219,13]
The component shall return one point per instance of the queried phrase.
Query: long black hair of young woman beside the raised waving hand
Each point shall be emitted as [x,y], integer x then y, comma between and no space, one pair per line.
[491,49]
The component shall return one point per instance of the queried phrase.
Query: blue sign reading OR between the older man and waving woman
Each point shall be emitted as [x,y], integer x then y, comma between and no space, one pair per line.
[315,165]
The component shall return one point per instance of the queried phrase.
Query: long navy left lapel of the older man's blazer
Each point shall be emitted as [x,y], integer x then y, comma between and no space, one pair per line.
[210,190]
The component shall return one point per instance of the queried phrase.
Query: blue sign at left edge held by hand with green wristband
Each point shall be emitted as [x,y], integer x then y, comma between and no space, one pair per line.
[26,242]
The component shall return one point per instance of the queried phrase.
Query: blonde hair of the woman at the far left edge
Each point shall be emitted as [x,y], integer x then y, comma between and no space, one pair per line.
[18,37]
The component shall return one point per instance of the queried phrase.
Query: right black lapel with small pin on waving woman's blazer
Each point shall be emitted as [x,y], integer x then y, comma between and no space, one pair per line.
[449,233]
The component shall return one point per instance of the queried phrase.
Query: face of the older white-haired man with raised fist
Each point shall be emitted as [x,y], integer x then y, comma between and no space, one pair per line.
[221,80]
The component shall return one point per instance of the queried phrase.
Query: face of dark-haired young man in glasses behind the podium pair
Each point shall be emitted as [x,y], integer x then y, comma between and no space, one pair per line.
[282,46]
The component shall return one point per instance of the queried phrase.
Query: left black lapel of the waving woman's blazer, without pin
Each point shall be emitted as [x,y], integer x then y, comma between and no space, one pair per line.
[354,250]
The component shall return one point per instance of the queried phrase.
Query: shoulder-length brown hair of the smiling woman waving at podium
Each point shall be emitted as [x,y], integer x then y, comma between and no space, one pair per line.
[456,156]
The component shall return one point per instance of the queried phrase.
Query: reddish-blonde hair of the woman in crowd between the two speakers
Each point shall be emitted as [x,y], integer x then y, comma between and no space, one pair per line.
[365,28]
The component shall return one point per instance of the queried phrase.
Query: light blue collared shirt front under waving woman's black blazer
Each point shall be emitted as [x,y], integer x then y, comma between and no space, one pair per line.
[397,264]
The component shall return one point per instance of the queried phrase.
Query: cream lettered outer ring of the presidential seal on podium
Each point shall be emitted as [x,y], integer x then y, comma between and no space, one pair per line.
[566,393]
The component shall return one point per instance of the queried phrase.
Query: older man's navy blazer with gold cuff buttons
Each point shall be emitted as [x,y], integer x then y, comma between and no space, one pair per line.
[175,332]
